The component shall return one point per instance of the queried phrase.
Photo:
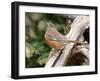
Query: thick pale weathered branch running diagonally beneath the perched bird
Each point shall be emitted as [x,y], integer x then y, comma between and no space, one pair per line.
[77,28]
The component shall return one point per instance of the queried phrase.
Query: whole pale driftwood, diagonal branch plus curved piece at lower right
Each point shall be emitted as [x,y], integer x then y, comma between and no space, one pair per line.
[78,27]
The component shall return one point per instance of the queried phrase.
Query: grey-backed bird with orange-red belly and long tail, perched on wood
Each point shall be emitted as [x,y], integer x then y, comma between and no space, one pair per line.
[55,39]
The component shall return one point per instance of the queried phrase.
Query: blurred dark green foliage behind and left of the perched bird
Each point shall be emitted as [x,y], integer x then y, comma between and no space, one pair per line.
[37,50]
